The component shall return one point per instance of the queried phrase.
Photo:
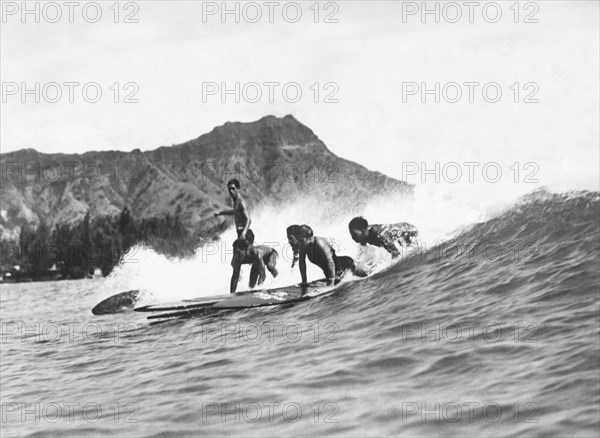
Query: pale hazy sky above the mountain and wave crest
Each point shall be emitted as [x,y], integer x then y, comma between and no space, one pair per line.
[368,56]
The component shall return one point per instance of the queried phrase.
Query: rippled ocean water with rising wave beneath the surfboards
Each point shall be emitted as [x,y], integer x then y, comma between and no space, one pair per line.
[490,329]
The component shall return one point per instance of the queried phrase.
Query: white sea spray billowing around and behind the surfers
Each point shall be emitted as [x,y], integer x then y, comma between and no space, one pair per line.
[208,272]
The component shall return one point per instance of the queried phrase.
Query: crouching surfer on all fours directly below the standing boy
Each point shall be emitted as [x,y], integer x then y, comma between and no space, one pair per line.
[258,256]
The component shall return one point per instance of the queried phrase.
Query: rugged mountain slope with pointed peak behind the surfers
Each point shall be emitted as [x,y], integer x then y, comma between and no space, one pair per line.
[277,160]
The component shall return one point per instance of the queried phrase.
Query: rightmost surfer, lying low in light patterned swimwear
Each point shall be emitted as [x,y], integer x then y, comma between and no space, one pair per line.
[391,237]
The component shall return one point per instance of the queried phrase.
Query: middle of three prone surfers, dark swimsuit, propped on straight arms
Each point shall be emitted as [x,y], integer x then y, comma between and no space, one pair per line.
[320,252]
